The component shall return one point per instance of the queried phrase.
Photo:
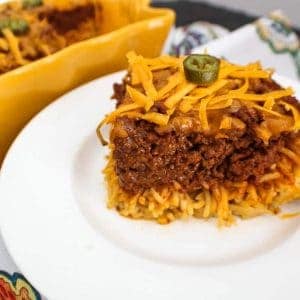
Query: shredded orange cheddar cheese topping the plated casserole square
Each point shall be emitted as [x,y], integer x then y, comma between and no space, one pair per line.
[179,96]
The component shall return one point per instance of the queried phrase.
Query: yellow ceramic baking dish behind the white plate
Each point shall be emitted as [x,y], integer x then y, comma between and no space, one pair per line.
[127,25]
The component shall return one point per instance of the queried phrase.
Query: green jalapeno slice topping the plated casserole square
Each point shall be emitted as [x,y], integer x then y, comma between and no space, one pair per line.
[202,69]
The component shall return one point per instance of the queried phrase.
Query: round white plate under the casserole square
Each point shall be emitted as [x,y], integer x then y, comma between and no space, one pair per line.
[56,225]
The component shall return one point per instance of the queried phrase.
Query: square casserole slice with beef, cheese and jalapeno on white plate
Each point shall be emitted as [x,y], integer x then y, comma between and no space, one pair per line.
[197,136]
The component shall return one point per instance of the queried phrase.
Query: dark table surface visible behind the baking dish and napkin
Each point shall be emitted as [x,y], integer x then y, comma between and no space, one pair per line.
[190,11]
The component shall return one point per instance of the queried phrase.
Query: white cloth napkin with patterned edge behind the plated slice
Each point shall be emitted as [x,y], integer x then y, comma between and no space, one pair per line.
[269,40]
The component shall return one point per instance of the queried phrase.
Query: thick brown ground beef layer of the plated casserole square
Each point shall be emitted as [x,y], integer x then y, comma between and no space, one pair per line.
[147,158]
